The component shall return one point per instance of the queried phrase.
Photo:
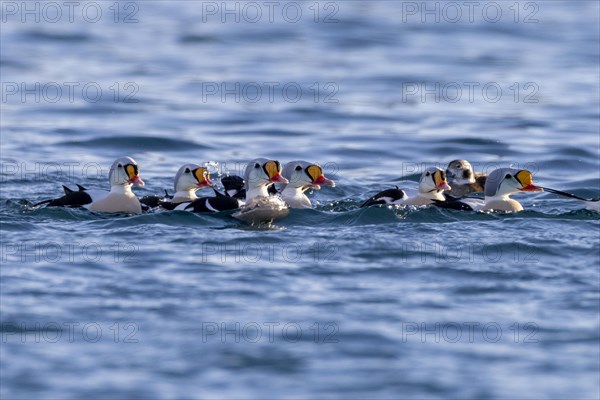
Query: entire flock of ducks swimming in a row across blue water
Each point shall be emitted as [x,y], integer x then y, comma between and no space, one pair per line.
[255,199]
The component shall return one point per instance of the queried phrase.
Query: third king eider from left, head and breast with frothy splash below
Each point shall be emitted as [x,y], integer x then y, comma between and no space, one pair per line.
[260,206]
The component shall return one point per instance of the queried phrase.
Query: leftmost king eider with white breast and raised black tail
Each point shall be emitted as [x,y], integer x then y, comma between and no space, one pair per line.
[120,199]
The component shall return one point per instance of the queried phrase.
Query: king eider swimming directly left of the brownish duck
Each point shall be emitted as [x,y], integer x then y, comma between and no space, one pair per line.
[431,190]
